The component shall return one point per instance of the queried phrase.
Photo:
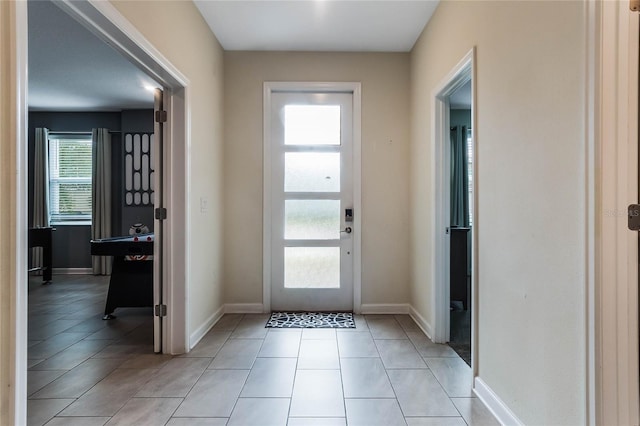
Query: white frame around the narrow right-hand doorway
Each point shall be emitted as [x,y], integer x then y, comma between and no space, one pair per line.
[462,73]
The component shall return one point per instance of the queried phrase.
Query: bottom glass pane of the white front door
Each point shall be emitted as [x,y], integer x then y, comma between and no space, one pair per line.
[312,267]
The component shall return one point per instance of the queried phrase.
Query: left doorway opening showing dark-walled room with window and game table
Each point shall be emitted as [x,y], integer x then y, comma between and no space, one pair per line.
[94,129]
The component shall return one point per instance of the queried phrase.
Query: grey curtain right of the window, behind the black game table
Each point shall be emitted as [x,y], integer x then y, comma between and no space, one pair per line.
[101,196]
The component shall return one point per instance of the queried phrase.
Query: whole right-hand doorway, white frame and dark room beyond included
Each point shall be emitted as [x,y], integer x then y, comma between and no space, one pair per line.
[456,216]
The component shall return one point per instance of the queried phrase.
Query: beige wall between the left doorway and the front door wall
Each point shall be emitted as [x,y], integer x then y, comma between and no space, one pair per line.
[179,32]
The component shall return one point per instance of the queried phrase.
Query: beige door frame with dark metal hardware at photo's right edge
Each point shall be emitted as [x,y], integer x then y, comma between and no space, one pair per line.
[611,296]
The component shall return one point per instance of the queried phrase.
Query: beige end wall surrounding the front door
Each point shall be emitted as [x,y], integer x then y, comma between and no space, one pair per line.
[385,161]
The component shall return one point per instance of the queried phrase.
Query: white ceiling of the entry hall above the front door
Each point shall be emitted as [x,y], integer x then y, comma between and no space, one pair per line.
[317,25]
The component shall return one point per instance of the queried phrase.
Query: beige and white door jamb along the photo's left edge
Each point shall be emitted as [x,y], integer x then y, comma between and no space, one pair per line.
[13,366]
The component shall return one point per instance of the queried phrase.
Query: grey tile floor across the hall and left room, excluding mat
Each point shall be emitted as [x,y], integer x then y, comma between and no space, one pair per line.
[85,371]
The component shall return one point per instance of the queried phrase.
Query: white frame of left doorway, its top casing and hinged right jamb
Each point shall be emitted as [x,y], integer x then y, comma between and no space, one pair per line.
[108,25]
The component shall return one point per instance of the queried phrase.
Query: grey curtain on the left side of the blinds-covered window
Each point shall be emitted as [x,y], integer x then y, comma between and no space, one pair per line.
[40,189]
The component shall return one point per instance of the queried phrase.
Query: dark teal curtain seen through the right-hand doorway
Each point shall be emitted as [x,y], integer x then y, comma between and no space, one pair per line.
[459,178]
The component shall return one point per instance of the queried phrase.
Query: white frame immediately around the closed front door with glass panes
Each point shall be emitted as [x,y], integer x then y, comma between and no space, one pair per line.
[354,88]
